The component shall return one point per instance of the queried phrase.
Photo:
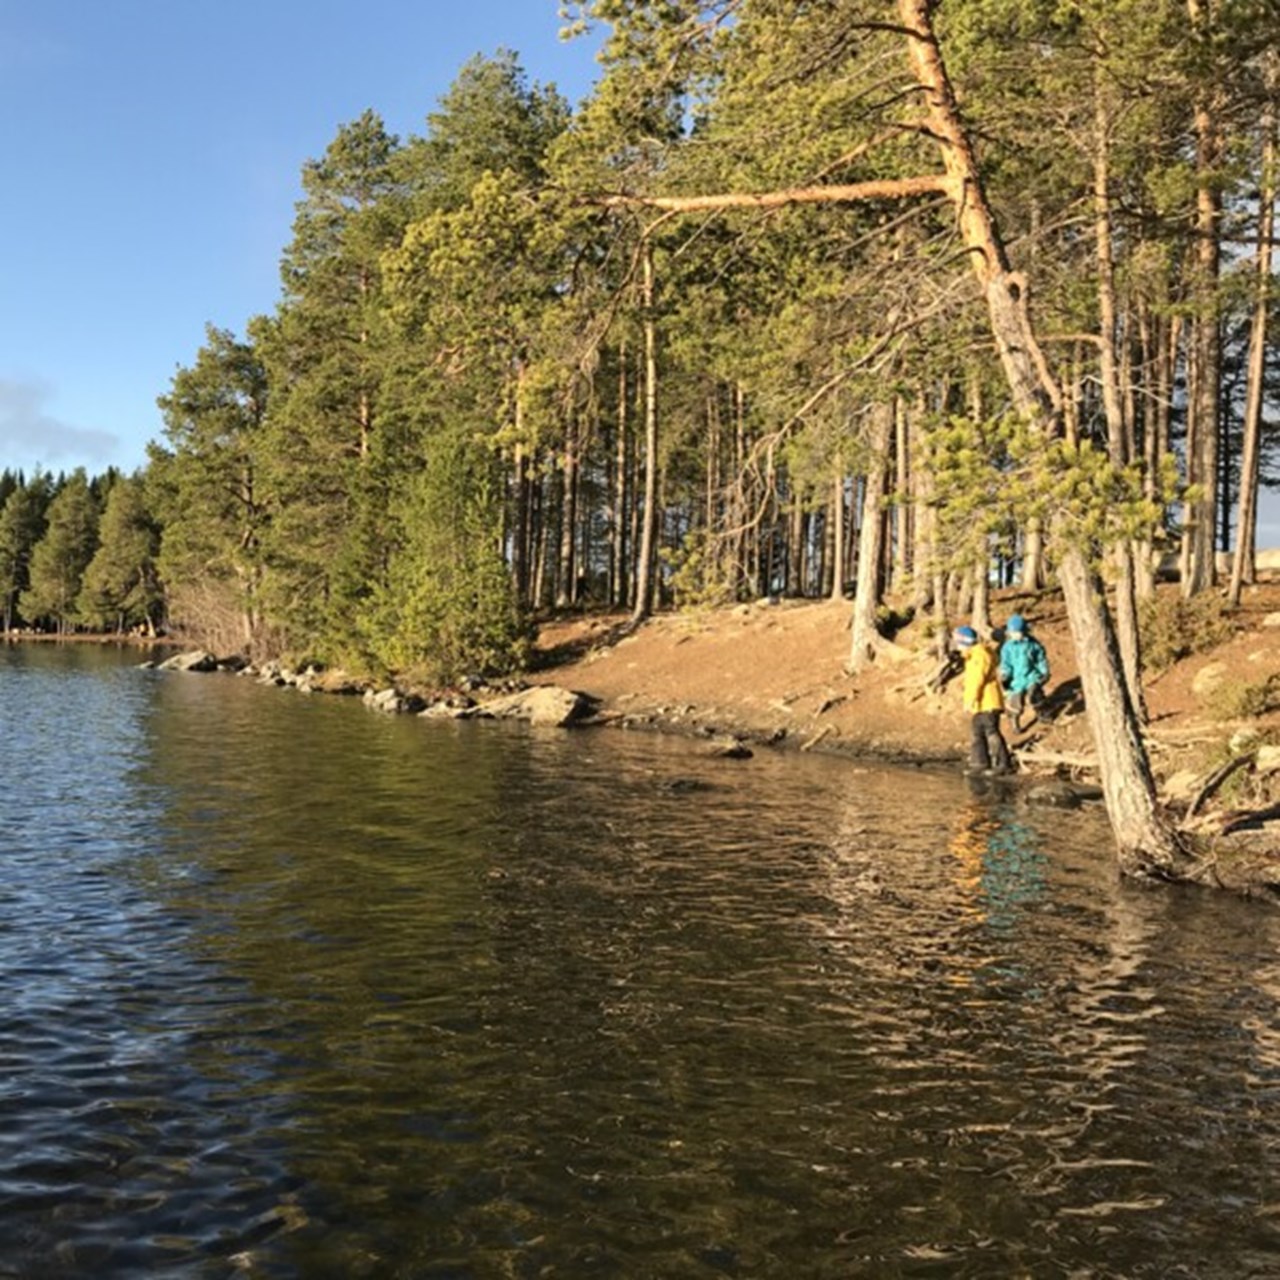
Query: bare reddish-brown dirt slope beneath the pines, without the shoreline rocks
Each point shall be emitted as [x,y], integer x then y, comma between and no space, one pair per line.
[774,673]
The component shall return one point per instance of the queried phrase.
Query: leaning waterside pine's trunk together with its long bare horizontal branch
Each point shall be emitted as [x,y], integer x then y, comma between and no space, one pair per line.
[1148,844]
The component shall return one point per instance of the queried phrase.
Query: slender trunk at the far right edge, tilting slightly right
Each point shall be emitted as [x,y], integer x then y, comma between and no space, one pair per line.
[1246,529]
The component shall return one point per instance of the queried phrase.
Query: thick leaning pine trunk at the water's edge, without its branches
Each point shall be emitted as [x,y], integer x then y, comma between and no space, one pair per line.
[1146,844]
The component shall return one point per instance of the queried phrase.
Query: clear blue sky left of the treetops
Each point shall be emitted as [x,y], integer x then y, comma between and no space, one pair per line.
[153,150]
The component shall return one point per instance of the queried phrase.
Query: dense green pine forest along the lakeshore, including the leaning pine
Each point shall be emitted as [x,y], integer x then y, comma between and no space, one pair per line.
[897,300]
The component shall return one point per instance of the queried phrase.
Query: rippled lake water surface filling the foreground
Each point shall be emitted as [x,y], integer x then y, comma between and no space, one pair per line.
[299,990]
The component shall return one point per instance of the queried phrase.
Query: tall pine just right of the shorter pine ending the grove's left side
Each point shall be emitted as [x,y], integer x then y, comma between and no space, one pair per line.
[326,353]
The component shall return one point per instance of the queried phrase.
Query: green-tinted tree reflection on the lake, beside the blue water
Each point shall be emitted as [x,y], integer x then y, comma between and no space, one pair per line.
[326,863]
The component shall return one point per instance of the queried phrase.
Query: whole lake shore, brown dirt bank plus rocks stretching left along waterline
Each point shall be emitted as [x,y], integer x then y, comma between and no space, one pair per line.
[771,675]
